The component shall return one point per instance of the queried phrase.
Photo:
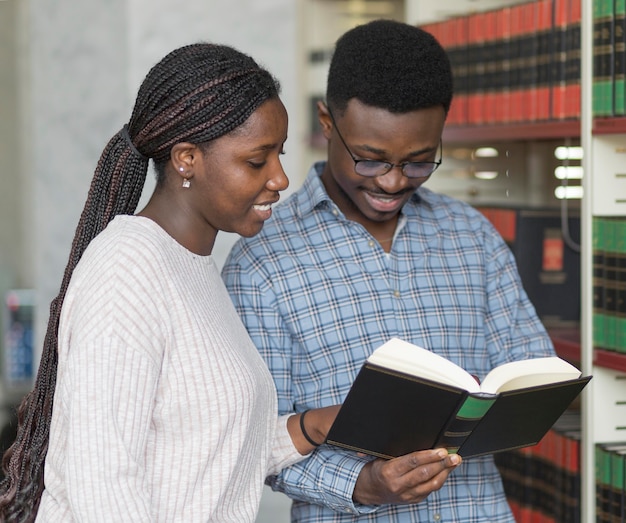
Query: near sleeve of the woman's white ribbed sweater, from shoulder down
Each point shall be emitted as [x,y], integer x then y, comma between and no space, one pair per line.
[111,347]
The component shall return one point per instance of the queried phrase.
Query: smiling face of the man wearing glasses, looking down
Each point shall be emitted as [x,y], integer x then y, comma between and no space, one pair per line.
[371,133]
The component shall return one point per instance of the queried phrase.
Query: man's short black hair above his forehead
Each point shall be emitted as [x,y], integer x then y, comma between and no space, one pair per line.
[390,65]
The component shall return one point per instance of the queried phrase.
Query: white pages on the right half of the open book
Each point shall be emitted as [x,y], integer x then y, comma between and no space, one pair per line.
[528,373]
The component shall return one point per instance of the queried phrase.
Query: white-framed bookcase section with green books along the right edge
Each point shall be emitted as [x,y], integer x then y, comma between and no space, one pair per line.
[604,207]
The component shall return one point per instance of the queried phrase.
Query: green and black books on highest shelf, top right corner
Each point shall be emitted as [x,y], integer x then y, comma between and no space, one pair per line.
[609,58]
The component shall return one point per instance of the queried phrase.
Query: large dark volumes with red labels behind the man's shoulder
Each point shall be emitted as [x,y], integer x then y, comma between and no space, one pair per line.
[548,265]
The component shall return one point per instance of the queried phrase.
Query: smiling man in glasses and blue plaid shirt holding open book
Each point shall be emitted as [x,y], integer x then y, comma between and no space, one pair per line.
[362,253]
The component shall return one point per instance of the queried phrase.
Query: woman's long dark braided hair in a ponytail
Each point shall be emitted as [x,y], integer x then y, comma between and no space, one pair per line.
[195,94]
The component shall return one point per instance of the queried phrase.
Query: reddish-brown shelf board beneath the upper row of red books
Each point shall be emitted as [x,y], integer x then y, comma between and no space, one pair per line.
[514,131]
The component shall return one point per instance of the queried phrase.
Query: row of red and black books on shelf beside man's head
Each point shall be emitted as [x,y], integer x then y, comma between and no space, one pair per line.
[518,63]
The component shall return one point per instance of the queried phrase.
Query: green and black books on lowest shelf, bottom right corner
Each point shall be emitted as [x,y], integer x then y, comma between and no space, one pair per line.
[610,459]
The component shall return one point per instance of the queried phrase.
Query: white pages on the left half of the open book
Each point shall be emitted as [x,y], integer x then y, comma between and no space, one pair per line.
[402,356]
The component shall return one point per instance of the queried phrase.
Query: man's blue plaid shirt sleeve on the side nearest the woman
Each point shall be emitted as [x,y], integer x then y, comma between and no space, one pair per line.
[328,476]
